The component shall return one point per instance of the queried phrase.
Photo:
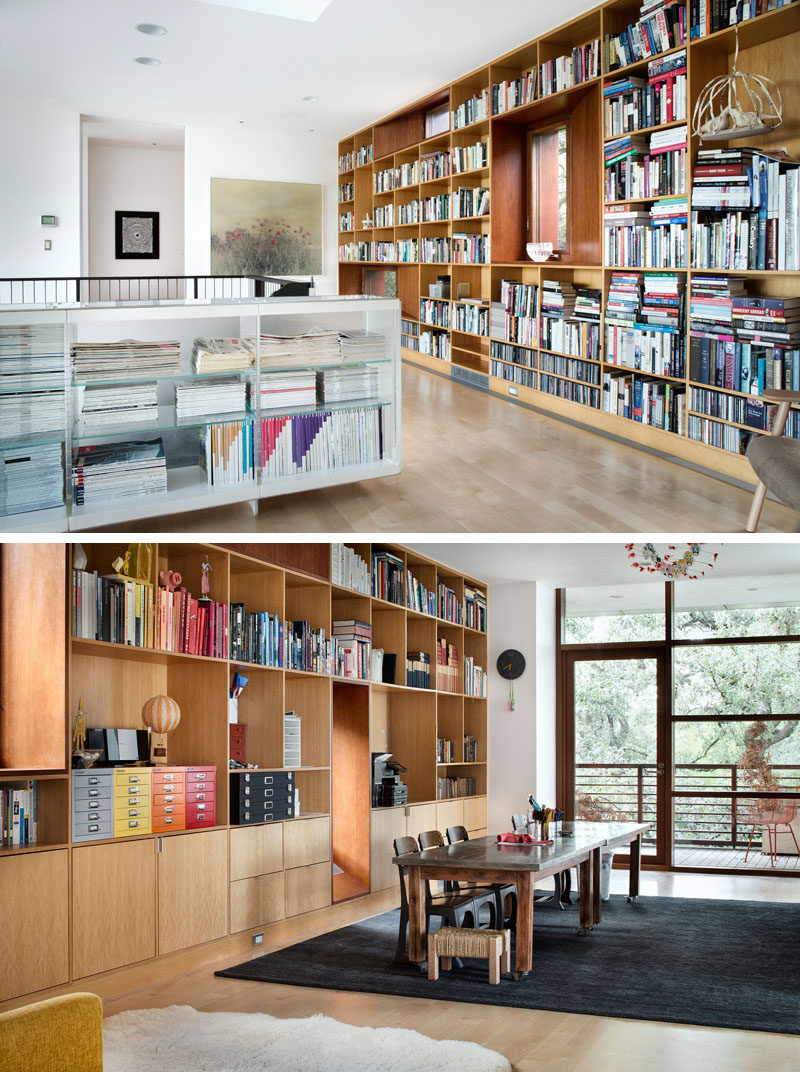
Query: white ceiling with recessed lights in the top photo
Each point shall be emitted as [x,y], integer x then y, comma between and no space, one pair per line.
[363,58]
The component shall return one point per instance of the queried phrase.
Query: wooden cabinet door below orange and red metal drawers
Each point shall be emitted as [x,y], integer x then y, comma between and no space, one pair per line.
[192,889]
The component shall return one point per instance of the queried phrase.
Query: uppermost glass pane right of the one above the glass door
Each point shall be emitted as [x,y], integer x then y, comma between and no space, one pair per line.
[742,607]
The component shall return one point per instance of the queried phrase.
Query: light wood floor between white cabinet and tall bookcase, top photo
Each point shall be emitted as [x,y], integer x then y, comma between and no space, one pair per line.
[472,463]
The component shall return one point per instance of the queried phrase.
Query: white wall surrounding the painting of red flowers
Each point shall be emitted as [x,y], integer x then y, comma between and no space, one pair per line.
[243,153]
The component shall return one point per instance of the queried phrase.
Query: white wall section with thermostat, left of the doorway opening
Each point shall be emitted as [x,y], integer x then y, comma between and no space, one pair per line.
[40,176]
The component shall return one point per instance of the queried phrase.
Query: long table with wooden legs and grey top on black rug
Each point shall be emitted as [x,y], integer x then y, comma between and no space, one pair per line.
[487,861]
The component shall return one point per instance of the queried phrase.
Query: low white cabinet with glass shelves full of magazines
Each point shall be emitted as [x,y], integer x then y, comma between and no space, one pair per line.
[129,411]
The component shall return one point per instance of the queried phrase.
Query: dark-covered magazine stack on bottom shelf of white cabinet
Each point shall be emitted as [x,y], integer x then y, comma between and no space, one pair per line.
[118,471]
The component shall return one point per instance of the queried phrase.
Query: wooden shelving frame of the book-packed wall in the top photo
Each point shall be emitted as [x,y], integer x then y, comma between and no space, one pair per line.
[768,44]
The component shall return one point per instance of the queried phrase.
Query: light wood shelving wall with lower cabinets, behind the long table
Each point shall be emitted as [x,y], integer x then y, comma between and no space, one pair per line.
[128,900]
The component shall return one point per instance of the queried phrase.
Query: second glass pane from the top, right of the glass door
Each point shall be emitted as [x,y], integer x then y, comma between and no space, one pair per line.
[737,680]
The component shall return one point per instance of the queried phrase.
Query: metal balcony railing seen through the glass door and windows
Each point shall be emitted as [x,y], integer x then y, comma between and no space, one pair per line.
[628,793]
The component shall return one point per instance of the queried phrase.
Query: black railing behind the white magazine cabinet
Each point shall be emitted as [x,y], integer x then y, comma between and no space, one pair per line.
[71,290]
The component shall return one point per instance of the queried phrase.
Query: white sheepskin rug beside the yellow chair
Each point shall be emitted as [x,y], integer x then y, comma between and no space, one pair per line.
[181,1039]
